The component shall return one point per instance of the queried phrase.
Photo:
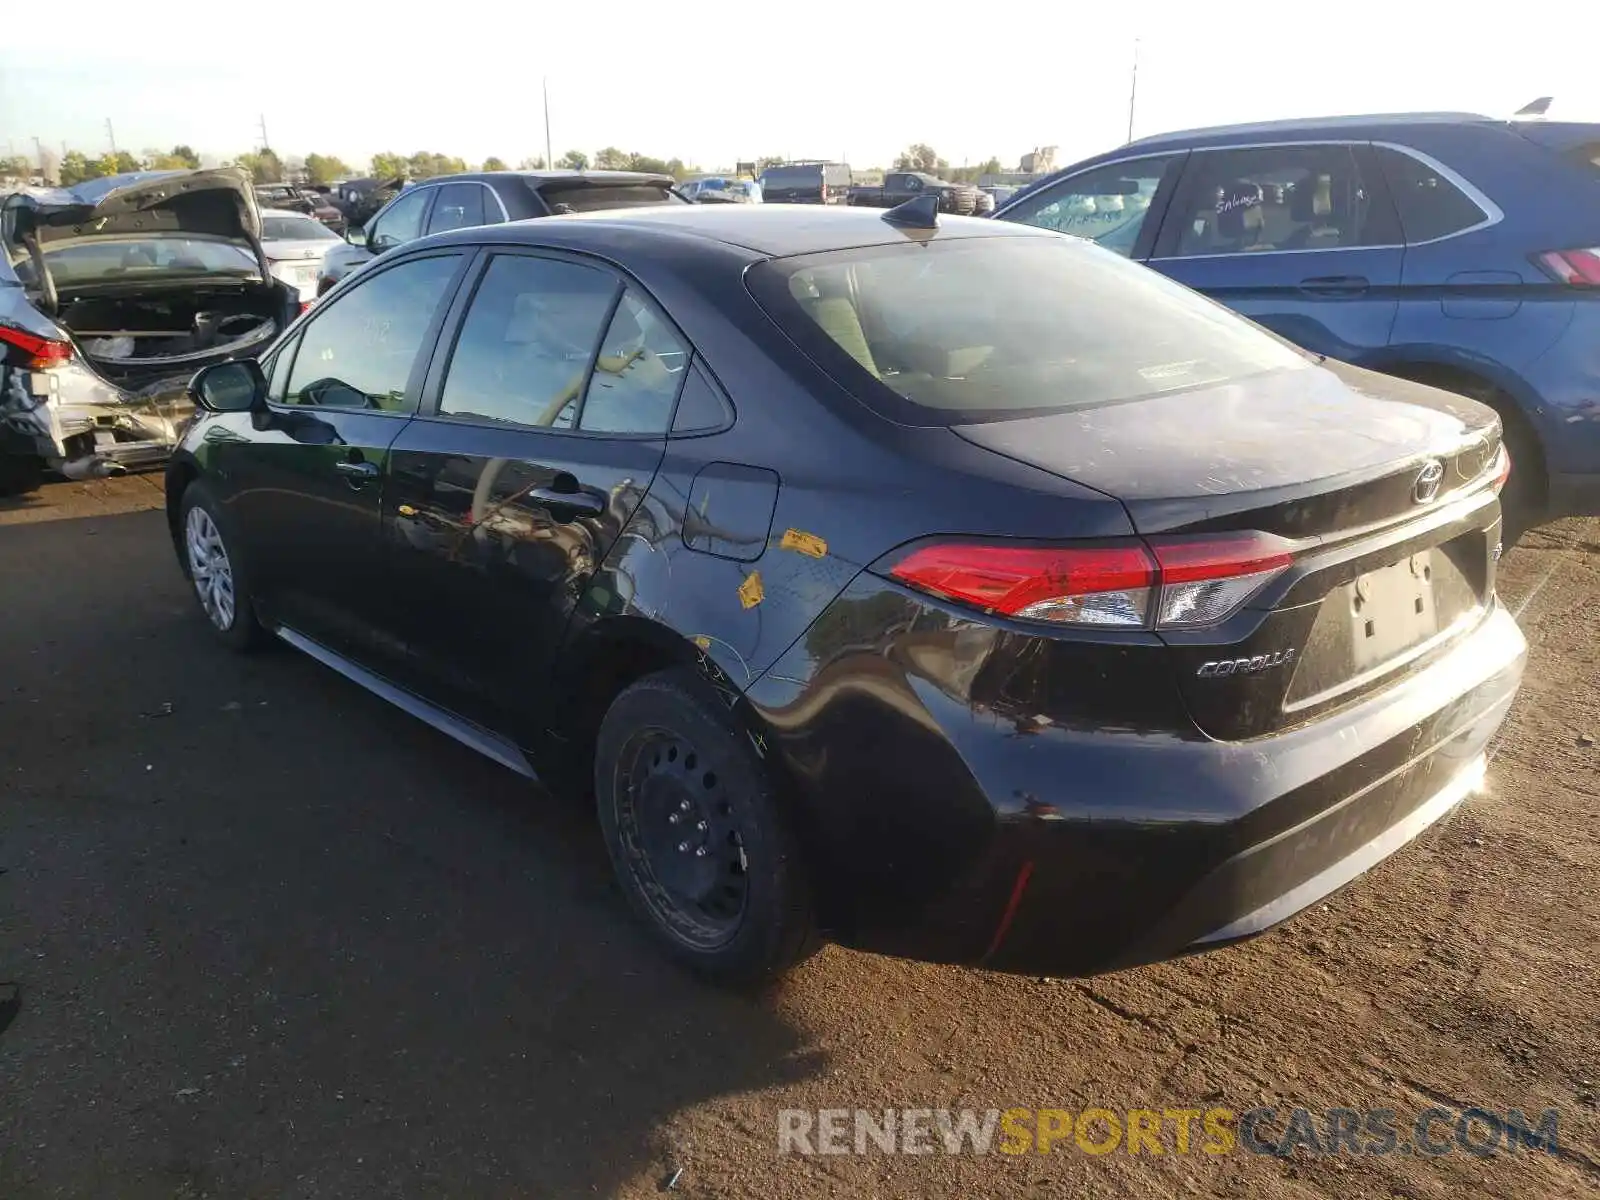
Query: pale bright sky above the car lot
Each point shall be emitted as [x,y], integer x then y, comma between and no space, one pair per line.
[714,82]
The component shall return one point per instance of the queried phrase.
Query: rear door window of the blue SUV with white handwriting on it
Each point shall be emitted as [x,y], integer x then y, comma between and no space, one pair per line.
[1271,199]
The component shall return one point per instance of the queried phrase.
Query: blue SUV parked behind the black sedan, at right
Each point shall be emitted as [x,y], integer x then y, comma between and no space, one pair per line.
[1455,250]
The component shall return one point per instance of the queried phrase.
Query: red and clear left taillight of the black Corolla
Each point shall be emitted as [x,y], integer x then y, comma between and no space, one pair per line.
[1164,583]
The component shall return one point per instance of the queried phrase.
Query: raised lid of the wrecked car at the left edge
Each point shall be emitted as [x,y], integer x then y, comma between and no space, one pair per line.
[220,202]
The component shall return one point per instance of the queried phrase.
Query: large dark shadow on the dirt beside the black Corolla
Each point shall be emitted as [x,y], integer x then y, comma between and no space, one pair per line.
[276,938]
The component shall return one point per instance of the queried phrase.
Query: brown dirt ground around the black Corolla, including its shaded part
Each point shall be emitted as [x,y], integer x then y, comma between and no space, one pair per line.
[273,938]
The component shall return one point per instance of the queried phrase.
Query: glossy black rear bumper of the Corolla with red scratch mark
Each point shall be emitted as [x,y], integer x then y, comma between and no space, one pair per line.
[1108,849]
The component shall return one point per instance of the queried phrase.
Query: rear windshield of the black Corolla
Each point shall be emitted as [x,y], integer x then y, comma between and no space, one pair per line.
[946,332]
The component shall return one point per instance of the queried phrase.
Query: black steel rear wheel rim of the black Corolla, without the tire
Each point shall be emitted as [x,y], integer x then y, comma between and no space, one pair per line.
[682,839]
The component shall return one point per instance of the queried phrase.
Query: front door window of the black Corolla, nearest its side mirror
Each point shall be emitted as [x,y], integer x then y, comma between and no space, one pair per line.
[359,350]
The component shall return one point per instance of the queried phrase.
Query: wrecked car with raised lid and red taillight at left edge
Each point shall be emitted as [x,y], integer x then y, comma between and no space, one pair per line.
[113,295]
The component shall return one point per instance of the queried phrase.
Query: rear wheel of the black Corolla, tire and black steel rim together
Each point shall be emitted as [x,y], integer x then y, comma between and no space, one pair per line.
[697,838]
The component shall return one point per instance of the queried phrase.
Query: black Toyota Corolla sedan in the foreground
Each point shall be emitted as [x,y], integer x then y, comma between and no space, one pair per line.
[935,586]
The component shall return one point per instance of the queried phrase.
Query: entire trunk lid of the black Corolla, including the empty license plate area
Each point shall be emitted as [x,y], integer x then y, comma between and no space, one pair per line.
[1383,487]
